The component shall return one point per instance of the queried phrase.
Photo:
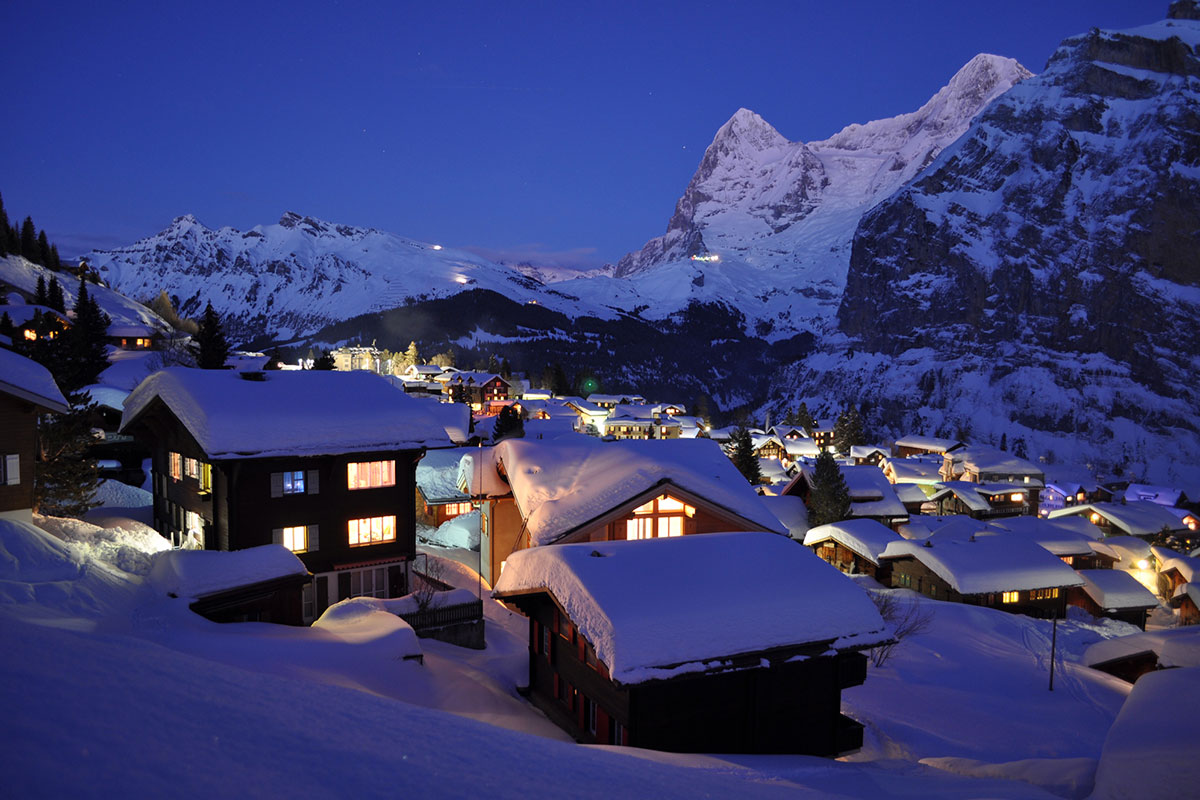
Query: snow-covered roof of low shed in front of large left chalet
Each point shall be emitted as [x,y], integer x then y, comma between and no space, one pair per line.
[196,574]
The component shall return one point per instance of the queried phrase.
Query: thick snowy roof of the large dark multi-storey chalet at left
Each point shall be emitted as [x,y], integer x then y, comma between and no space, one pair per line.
[302,413]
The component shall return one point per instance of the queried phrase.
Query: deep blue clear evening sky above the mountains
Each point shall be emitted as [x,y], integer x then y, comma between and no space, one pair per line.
[562,129]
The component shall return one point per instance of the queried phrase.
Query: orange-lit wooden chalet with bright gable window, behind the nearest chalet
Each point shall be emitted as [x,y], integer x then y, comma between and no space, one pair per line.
[581,490]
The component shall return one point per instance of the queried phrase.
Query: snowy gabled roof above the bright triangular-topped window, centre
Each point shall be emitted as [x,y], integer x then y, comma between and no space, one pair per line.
[563,484]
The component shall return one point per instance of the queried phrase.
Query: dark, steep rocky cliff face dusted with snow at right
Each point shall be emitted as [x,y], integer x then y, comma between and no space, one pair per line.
[1046,269]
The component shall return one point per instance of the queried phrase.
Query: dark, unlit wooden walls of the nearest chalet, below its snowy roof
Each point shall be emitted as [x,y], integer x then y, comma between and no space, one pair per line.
[789,707]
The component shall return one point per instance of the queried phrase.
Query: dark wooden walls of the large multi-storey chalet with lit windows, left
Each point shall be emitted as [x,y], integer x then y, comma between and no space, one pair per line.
[231,502]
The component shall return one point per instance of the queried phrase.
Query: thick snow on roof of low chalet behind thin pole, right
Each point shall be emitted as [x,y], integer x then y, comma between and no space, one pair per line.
[988,564]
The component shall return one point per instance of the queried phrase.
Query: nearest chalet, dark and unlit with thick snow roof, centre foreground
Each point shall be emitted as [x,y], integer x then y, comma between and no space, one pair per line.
[628,648]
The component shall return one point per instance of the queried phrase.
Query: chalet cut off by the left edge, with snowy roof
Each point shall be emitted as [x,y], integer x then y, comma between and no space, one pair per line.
[27,389]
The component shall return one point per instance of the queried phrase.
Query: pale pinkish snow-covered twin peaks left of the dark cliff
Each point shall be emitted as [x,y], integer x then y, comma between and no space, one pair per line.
[766,224]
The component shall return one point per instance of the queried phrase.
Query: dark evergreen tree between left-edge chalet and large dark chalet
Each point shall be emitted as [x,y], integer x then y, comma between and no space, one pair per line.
[67,479]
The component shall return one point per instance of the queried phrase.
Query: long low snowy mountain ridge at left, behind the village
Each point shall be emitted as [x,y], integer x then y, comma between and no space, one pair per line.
[303,274]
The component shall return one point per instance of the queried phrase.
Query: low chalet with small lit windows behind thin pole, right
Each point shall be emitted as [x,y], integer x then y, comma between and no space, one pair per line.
[1003,573]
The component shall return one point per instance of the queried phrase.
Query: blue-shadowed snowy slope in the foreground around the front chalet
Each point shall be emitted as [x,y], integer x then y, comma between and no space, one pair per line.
[112,688]
